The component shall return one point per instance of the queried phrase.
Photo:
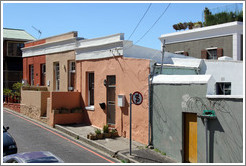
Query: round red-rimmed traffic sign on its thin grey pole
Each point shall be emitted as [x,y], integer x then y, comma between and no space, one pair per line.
[137,99]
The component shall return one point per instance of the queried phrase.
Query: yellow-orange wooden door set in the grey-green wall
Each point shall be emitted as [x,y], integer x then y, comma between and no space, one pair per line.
[190,137]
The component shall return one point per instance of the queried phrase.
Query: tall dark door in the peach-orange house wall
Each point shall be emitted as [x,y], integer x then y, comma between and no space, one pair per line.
[111,85]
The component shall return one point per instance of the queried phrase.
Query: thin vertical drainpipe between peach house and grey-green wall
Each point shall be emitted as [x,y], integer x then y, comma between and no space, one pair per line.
[150,79]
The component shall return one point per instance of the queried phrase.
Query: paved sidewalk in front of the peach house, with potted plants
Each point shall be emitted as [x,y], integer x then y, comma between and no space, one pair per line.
[117,147]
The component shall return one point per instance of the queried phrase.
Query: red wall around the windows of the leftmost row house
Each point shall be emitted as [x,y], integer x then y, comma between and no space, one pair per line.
[36,61]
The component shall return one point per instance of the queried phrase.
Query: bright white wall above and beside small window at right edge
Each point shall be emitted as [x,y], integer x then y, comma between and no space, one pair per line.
[225,71]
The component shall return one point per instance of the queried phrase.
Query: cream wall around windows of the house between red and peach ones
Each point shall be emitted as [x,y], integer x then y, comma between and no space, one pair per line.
[63,59]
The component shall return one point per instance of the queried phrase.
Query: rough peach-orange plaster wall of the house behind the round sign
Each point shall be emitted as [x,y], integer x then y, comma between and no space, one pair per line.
[131,75]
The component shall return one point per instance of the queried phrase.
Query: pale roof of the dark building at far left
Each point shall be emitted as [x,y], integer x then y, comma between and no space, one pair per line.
[17,34]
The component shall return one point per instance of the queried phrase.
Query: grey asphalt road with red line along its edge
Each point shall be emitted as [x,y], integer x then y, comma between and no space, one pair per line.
[32,136]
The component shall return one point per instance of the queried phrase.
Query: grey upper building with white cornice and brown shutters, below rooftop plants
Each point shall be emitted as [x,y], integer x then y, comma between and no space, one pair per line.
[210,42]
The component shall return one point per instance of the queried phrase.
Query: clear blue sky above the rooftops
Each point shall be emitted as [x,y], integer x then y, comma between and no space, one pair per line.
[93,20]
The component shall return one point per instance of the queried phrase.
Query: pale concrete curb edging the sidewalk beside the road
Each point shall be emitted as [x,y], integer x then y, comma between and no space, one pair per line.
[112,153]
